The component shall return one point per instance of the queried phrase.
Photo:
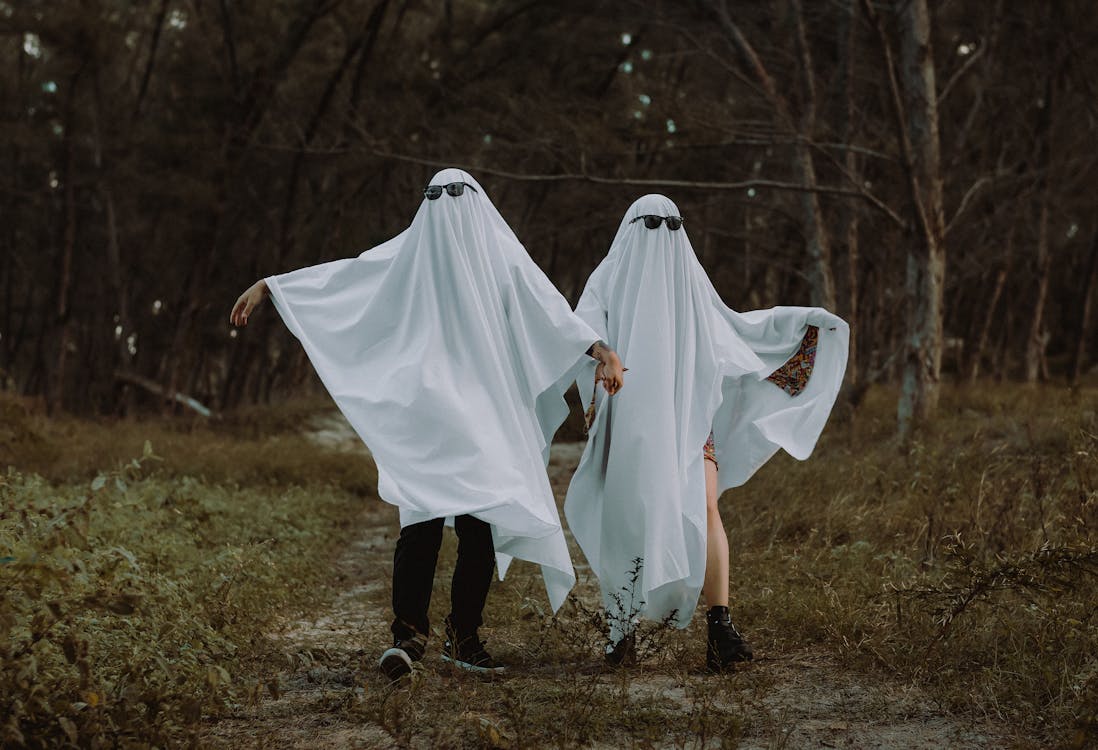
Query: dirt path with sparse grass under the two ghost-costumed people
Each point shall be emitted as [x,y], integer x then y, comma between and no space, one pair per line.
[331,695]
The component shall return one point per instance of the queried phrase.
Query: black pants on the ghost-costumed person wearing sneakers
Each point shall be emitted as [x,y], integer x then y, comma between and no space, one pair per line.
[414,575]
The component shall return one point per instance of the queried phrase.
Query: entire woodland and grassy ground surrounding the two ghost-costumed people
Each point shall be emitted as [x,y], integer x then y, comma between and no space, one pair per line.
[923,167]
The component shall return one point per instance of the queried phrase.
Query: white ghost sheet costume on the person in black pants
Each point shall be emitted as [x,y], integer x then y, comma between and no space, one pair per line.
[442,349]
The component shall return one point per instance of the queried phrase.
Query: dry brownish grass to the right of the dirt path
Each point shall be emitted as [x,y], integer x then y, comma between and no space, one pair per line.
[967,562]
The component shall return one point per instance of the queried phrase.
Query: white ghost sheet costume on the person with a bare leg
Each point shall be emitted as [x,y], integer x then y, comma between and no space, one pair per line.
[696,366]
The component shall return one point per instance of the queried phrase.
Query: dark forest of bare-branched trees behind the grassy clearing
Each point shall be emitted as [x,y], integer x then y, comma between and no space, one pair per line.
[922,167]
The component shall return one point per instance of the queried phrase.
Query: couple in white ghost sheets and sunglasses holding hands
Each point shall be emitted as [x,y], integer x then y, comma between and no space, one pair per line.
[450,352]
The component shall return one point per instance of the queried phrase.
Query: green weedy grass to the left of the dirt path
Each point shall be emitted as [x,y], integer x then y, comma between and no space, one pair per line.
[139,600]
